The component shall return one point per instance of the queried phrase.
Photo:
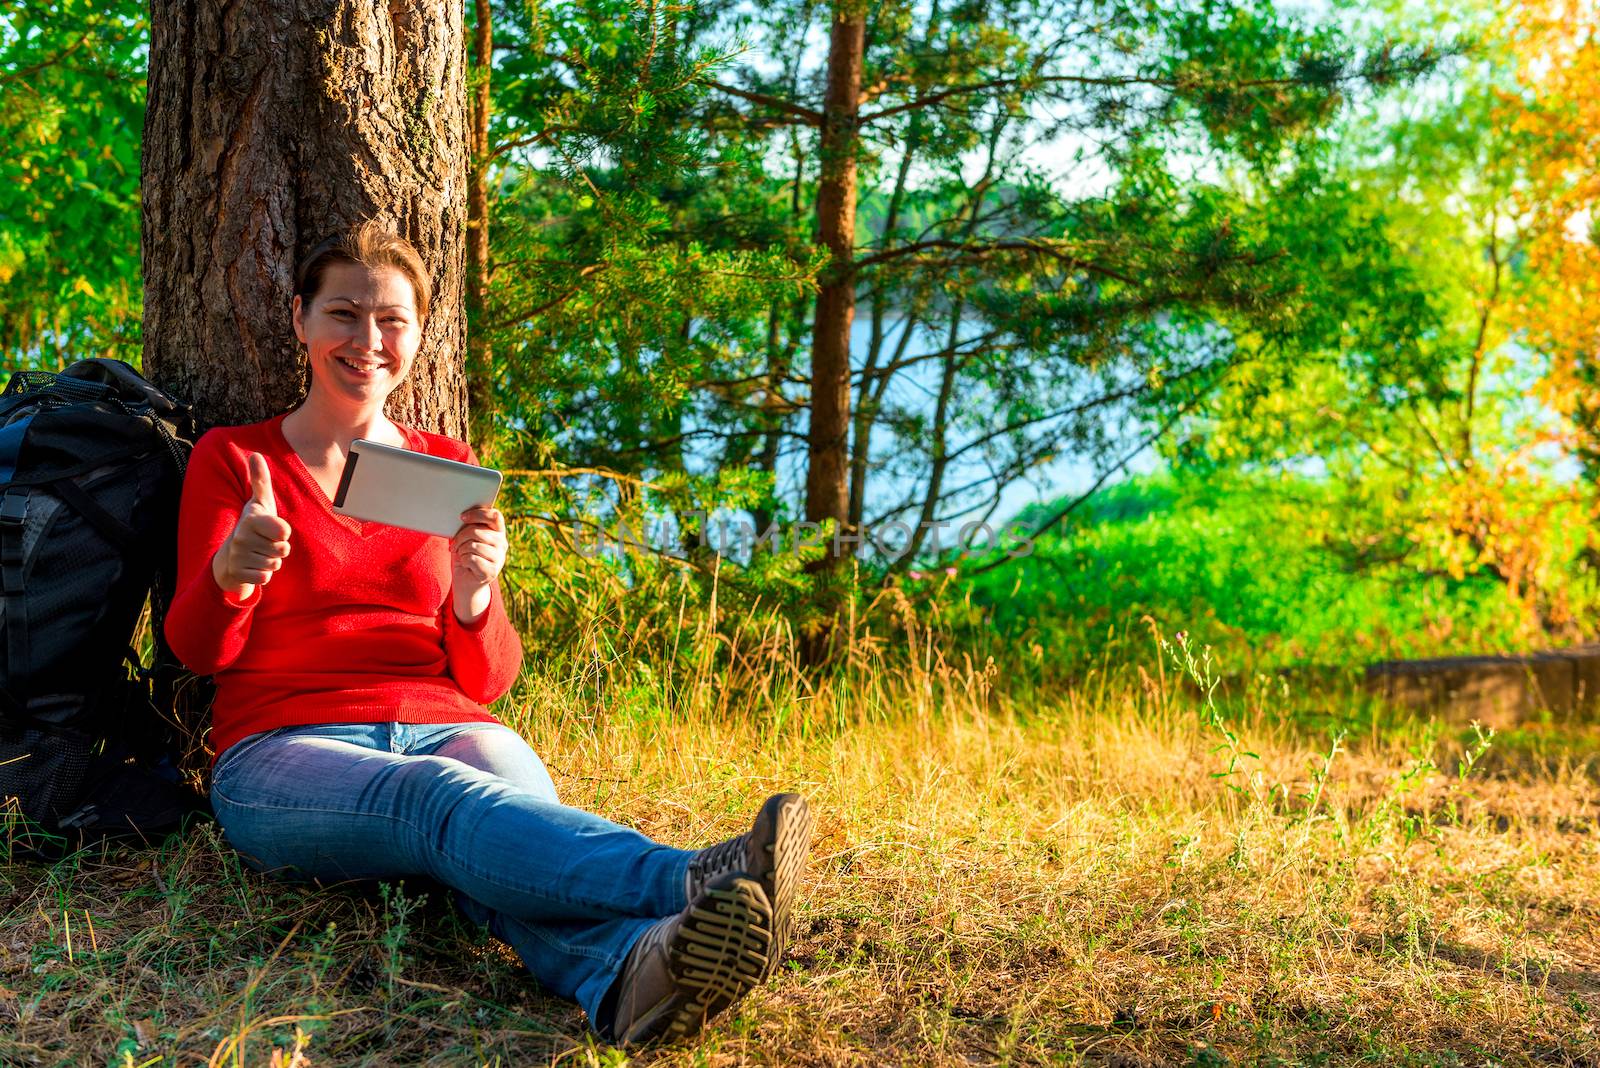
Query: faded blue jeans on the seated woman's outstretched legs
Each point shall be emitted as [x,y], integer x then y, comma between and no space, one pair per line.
[468,805]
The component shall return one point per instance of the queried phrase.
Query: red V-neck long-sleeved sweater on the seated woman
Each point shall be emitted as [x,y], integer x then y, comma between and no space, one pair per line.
[358,624]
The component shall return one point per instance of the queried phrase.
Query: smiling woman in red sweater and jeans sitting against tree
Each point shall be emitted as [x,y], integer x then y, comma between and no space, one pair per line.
[353,664]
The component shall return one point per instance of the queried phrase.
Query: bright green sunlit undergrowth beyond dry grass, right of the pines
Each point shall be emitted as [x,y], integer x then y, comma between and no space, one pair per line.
[1249,567]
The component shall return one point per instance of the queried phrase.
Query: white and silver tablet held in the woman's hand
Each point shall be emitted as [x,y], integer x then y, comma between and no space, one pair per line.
[383,484]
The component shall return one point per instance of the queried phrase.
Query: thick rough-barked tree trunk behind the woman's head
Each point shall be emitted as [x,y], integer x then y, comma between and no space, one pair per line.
[271,127]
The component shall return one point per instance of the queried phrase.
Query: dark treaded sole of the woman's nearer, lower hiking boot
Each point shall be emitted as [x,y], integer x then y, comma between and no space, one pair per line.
[716,958]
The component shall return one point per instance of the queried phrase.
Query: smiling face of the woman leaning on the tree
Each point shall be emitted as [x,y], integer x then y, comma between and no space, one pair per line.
[361,332]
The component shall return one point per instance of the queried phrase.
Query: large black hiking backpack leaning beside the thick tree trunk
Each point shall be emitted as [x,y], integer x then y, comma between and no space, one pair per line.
[92,466]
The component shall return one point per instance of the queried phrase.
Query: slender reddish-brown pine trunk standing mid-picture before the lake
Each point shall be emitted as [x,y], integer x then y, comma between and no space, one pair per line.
[828,472]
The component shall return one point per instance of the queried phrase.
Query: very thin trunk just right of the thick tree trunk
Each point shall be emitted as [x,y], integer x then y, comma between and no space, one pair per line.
[481,365]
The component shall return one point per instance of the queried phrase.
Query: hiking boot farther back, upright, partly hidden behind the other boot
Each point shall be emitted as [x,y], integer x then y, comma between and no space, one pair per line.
[772,853]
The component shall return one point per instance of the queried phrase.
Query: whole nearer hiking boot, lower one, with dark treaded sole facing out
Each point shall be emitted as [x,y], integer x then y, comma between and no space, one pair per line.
[689,968]
